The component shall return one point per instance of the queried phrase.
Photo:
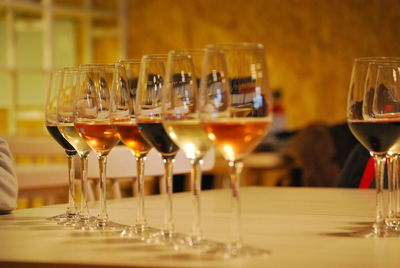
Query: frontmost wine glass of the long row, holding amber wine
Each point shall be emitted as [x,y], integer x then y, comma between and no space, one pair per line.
[236,113]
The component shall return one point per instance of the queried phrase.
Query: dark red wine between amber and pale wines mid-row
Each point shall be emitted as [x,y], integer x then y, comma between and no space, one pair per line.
[155,134]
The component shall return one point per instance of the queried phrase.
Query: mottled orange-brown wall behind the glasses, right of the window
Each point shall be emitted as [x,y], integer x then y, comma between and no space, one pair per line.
[310,44]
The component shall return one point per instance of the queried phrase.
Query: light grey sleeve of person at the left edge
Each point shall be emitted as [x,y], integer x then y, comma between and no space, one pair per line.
[8,180]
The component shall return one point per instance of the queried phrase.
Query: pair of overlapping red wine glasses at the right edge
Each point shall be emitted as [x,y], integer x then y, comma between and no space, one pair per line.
[373,115]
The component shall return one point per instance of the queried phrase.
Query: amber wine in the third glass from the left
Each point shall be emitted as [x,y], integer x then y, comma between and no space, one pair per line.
[101,137]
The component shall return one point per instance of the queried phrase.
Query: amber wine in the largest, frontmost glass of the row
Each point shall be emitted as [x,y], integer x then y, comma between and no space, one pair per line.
[235,138]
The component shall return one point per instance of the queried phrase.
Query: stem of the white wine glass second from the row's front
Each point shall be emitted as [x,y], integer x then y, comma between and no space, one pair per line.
[195,177]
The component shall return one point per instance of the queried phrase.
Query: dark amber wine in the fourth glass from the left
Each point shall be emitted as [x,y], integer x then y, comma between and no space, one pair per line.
[130,135]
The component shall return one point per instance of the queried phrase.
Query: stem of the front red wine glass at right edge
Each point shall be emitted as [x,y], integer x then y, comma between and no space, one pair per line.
[379,176]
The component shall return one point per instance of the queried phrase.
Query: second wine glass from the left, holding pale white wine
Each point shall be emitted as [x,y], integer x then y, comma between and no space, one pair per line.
[65,120]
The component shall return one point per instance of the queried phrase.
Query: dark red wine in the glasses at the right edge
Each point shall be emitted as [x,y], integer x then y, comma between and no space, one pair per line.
[377,136]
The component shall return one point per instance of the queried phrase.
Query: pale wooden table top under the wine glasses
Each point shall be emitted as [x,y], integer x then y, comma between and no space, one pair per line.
[302,227]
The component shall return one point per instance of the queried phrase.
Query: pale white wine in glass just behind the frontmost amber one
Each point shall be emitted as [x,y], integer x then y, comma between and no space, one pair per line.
[190,136]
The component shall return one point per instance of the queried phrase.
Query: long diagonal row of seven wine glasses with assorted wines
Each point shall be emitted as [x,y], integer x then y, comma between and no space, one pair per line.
[191,100]
